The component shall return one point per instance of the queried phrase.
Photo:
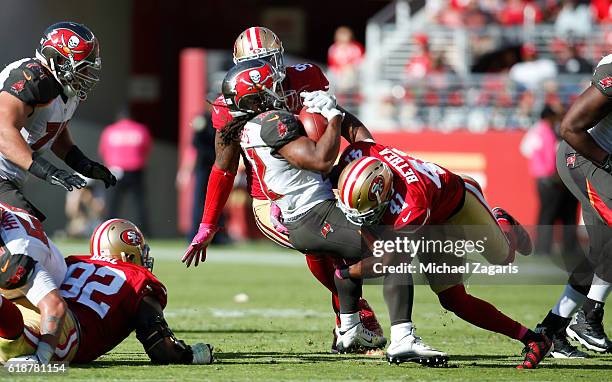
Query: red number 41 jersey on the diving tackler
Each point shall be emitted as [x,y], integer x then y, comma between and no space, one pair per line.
[423,192]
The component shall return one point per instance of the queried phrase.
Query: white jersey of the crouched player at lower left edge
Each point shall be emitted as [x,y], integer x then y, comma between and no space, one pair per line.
[22,233]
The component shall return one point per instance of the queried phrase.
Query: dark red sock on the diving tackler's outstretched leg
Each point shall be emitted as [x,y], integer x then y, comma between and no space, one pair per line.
[479,312]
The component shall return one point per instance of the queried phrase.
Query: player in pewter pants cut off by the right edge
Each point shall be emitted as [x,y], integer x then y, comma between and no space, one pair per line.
[584,163]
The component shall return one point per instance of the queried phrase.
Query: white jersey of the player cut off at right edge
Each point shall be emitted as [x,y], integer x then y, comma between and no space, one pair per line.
[602,80]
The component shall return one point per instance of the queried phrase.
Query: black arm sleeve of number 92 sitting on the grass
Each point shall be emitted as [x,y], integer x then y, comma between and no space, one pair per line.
[159,342]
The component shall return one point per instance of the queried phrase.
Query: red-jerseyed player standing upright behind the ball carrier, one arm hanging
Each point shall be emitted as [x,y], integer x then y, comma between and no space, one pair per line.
[262,43]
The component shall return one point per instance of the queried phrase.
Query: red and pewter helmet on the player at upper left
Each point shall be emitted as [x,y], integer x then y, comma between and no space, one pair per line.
[72,53]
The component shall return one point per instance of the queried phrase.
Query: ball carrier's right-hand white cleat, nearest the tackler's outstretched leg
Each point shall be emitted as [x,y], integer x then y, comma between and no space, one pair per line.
[411,348]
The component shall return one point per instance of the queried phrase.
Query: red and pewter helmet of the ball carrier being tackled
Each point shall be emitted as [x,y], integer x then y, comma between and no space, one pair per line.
[252,87]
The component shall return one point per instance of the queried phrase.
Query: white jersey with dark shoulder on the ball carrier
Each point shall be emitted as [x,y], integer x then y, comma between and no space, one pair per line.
[294,190]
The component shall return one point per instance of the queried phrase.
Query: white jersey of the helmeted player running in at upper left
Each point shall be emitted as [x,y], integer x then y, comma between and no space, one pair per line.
[33,84]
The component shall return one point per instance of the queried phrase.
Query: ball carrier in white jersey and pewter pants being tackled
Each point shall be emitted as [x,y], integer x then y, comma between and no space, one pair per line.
[292,170]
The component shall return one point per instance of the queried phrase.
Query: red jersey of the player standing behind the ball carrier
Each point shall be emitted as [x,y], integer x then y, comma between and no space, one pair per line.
[302,77]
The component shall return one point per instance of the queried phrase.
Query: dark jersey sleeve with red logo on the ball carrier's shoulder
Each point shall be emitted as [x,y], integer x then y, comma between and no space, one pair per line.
[280,128]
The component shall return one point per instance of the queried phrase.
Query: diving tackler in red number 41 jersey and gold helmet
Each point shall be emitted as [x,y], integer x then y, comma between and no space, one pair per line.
[380,185]
